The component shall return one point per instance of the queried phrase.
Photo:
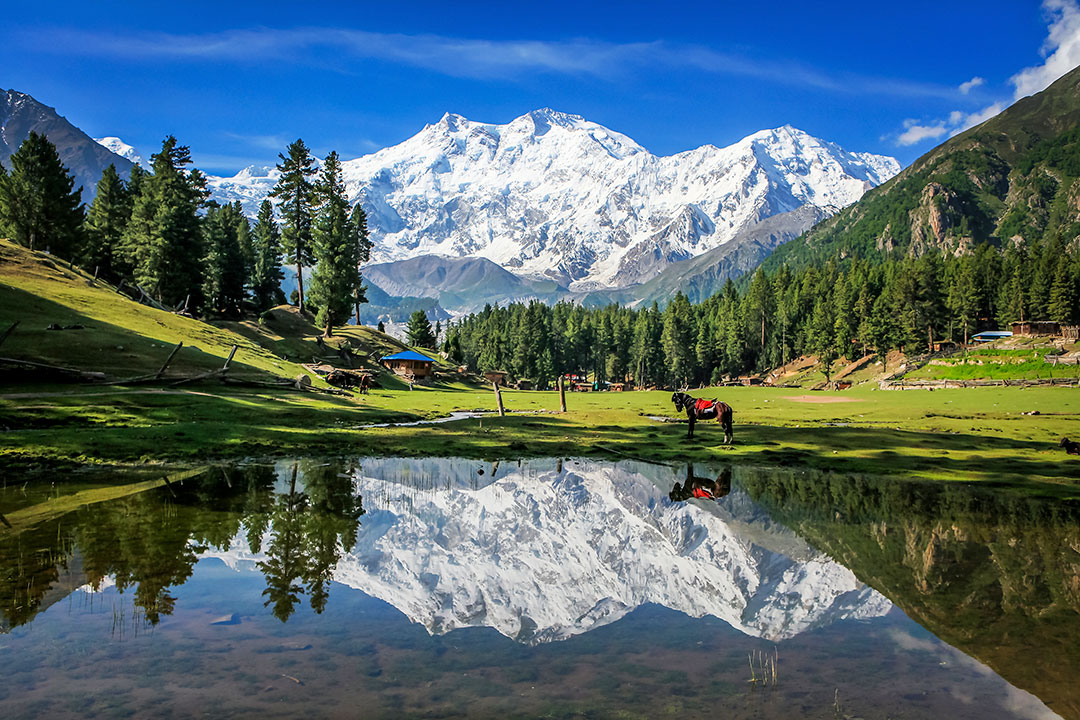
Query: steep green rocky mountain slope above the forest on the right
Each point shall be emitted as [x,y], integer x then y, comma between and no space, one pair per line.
[1016,179]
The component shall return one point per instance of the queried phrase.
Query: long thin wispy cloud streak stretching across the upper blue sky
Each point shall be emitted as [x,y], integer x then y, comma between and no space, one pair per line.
[463,58]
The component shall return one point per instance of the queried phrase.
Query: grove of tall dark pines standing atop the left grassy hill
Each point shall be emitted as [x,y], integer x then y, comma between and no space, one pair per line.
[158,232]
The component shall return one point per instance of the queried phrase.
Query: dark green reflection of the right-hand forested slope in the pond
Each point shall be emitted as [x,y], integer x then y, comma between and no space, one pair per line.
[995,575]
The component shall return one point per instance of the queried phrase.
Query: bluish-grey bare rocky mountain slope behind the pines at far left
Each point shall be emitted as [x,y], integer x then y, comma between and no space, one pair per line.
[87,159]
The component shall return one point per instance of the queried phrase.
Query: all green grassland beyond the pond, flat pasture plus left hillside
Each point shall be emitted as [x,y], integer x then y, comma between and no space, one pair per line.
[1002,437]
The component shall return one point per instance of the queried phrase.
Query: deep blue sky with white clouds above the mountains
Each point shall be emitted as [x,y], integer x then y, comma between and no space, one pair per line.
[237,81]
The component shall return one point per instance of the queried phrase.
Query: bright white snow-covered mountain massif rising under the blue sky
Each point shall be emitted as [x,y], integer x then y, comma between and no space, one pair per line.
[552,195]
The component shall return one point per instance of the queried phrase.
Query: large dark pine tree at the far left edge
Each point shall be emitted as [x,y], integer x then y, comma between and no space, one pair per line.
[39,207]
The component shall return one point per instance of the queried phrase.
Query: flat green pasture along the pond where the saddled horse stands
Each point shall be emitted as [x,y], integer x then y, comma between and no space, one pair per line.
[983,436]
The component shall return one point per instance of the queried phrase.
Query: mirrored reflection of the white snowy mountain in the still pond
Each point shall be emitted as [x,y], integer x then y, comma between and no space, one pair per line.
[546,550]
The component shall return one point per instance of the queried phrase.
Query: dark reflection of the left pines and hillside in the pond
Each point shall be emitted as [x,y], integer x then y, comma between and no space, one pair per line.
[151,542]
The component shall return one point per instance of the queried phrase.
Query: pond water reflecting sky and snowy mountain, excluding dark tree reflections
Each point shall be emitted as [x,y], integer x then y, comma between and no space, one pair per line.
[497,567]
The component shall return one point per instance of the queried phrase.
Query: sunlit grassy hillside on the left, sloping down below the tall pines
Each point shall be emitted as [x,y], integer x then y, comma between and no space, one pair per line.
[123,338]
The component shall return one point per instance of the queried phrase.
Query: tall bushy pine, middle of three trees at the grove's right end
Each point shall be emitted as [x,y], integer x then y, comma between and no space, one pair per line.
[336,279]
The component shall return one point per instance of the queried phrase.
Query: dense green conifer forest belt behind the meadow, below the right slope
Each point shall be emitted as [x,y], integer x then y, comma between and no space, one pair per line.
[844,309]
